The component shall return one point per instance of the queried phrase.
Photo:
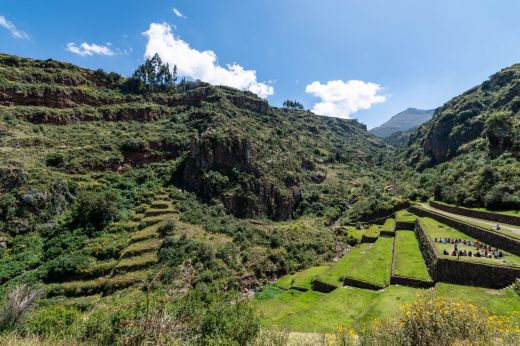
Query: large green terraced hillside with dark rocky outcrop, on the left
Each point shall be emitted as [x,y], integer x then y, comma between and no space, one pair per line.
[103,179]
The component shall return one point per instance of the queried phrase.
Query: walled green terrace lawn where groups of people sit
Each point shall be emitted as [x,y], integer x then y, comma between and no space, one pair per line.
[436,229]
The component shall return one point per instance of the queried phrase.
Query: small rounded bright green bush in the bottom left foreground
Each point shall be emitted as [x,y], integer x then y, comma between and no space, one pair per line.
[55,320]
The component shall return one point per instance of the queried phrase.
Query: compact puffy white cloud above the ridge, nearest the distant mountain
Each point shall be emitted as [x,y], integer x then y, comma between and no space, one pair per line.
[340,99]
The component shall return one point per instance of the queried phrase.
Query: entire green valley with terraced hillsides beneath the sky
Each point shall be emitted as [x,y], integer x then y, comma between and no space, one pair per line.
[201,213]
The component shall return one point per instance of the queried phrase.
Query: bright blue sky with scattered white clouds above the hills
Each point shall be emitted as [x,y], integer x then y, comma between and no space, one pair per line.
[358,59]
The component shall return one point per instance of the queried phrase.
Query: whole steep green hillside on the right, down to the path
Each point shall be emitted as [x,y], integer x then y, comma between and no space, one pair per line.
[469,151]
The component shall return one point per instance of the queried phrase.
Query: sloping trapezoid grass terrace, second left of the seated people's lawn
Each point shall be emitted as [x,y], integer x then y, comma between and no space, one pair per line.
[376,264]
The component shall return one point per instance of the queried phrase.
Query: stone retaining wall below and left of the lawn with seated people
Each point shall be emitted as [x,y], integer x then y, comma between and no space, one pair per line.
[462,272]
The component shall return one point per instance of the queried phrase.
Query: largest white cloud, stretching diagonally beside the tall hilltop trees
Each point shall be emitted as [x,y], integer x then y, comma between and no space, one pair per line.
[200,64]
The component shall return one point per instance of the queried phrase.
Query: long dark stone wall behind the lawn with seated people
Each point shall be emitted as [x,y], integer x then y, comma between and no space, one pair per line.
[495,239]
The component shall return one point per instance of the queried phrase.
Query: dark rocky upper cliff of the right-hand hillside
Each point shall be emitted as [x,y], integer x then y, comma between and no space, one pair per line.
[487,113]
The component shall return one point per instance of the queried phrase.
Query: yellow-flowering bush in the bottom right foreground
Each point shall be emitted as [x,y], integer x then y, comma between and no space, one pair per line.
[439,321]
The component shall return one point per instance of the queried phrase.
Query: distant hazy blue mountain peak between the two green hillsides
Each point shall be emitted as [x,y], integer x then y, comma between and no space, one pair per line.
[403,121]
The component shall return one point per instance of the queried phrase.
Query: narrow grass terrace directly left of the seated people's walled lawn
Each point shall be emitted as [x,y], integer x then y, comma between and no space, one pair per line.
[408,258]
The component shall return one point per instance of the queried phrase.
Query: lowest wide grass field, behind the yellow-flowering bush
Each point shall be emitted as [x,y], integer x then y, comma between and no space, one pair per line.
[325,312]
